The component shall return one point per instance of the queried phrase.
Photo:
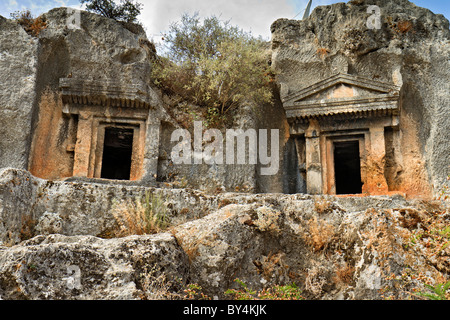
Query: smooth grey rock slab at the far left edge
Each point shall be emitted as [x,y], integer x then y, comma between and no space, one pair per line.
[18,65]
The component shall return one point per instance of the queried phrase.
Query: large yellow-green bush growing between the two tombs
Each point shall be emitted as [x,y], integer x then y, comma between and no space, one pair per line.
[214,65]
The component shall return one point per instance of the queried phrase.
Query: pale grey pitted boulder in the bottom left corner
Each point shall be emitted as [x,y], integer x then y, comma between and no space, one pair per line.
[84,267]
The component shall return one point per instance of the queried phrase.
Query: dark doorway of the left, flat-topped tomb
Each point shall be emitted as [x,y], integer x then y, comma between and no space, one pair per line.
[117,151]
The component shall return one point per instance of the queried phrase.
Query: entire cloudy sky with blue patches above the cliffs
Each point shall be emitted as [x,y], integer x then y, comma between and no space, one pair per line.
[251,15]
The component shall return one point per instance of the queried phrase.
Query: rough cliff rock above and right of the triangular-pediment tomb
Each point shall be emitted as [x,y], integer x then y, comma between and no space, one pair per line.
[410,49]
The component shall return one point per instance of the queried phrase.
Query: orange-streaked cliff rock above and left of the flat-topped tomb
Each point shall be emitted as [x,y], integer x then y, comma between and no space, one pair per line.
[98,52]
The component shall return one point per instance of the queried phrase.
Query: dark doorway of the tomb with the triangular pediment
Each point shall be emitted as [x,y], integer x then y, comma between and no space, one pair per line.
[347,167]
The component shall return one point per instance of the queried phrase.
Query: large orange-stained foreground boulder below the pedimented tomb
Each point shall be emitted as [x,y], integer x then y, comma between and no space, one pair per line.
[334,248]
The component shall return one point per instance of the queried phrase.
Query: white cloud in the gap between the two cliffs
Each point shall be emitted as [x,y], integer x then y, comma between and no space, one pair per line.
[251,15]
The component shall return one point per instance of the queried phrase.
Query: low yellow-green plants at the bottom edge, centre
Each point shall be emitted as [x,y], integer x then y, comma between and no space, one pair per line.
[288,292]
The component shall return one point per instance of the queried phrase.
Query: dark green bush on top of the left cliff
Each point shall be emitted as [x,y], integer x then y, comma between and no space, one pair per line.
[127,11]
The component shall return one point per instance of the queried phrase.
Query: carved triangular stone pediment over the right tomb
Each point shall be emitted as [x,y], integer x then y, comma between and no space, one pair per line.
[341,87]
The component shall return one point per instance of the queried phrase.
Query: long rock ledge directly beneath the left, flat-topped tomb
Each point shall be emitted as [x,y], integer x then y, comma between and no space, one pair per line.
[31,206]
